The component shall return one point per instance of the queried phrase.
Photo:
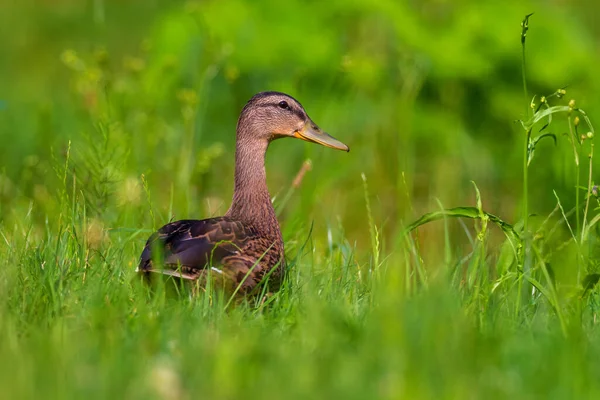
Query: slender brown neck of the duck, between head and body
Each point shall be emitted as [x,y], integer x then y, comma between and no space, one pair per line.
[251,200]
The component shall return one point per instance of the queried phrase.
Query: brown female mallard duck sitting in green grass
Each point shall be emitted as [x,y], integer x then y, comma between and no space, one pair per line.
[244,246]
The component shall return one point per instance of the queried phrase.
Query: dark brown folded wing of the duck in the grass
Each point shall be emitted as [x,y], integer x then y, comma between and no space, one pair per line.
[189,246]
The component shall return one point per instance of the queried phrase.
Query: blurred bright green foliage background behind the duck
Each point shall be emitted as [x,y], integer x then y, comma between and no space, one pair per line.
[426,93]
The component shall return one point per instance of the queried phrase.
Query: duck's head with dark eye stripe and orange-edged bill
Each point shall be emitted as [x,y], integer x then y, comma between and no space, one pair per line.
[273,115]
